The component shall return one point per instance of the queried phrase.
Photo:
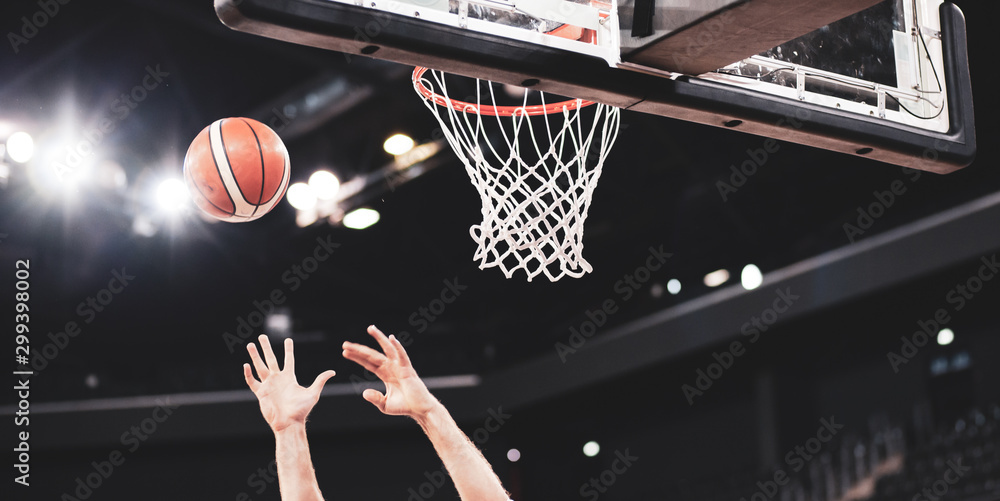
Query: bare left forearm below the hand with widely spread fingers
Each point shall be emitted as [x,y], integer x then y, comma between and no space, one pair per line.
[296,477]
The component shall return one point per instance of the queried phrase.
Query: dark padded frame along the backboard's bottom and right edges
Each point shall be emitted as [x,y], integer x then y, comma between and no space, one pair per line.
[359,31]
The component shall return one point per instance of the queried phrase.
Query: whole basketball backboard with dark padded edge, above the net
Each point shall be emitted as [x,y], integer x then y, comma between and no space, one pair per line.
[883,79]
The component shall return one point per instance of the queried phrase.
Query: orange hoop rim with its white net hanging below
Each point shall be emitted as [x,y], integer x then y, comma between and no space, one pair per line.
[535,171]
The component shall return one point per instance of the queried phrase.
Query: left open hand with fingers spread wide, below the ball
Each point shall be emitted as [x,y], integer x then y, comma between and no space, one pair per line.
[283,402]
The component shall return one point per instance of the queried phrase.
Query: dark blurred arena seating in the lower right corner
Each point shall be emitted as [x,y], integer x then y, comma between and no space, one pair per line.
[955,459]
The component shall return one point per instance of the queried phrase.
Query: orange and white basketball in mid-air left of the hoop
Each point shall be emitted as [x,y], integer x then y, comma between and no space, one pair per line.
[236,169]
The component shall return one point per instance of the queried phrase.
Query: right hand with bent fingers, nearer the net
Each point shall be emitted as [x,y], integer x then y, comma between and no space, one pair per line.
[405,393]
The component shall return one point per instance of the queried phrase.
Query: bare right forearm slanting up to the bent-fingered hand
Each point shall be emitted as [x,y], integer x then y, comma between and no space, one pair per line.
[469,470]
